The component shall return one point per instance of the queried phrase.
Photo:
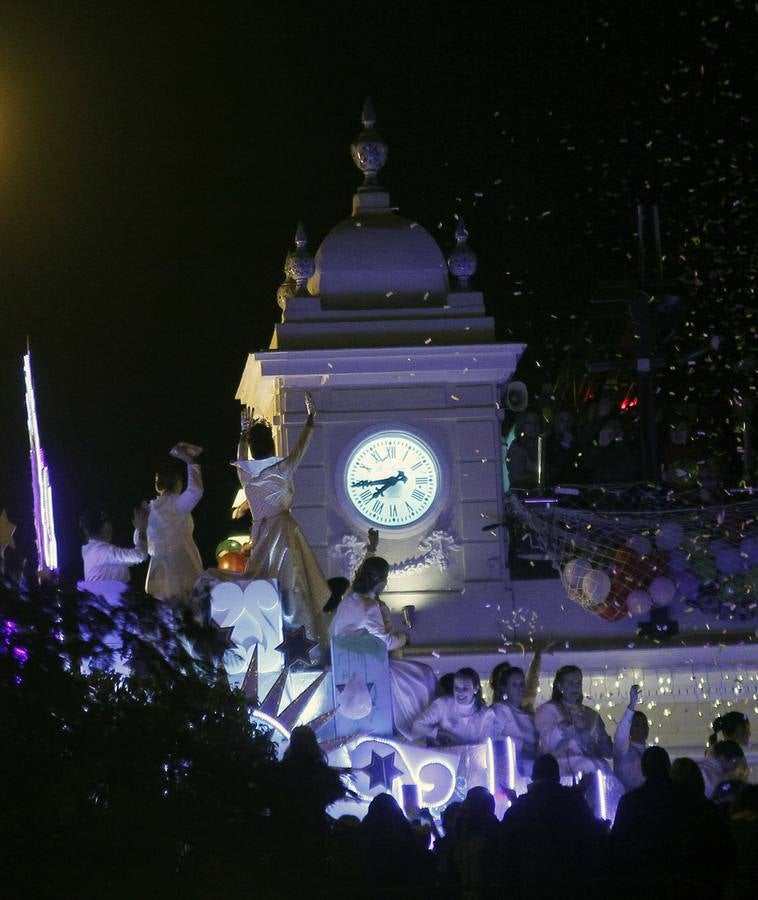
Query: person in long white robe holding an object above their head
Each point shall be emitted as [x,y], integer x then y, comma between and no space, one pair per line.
[175,563]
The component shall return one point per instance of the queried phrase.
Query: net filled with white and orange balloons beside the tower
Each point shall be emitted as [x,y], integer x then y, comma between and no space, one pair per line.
[623,563]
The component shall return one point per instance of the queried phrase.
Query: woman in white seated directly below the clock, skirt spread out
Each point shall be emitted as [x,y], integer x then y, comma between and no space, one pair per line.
[412,684]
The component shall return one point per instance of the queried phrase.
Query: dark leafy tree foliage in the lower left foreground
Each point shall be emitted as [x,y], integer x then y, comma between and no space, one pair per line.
[149,784]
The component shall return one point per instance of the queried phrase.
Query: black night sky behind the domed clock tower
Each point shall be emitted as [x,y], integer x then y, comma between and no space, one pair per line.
[155,159]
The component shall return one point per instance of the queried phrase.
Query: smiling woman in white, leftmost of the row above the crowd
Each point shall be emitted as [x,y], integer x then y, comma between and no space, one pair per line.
[460,719]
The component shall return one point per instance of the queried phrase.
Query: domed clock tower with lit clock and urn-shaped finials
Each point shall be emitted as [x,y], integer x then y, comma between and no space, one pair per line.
[407,378]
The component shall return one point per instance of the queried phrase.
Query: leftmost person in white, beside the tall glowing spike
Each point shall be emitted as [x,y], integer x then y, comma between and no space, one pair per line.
[103,561]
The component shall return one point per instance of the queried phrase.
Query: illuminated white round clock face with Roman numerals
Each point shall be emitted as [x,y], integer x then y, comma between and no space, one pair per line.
[392,478]
